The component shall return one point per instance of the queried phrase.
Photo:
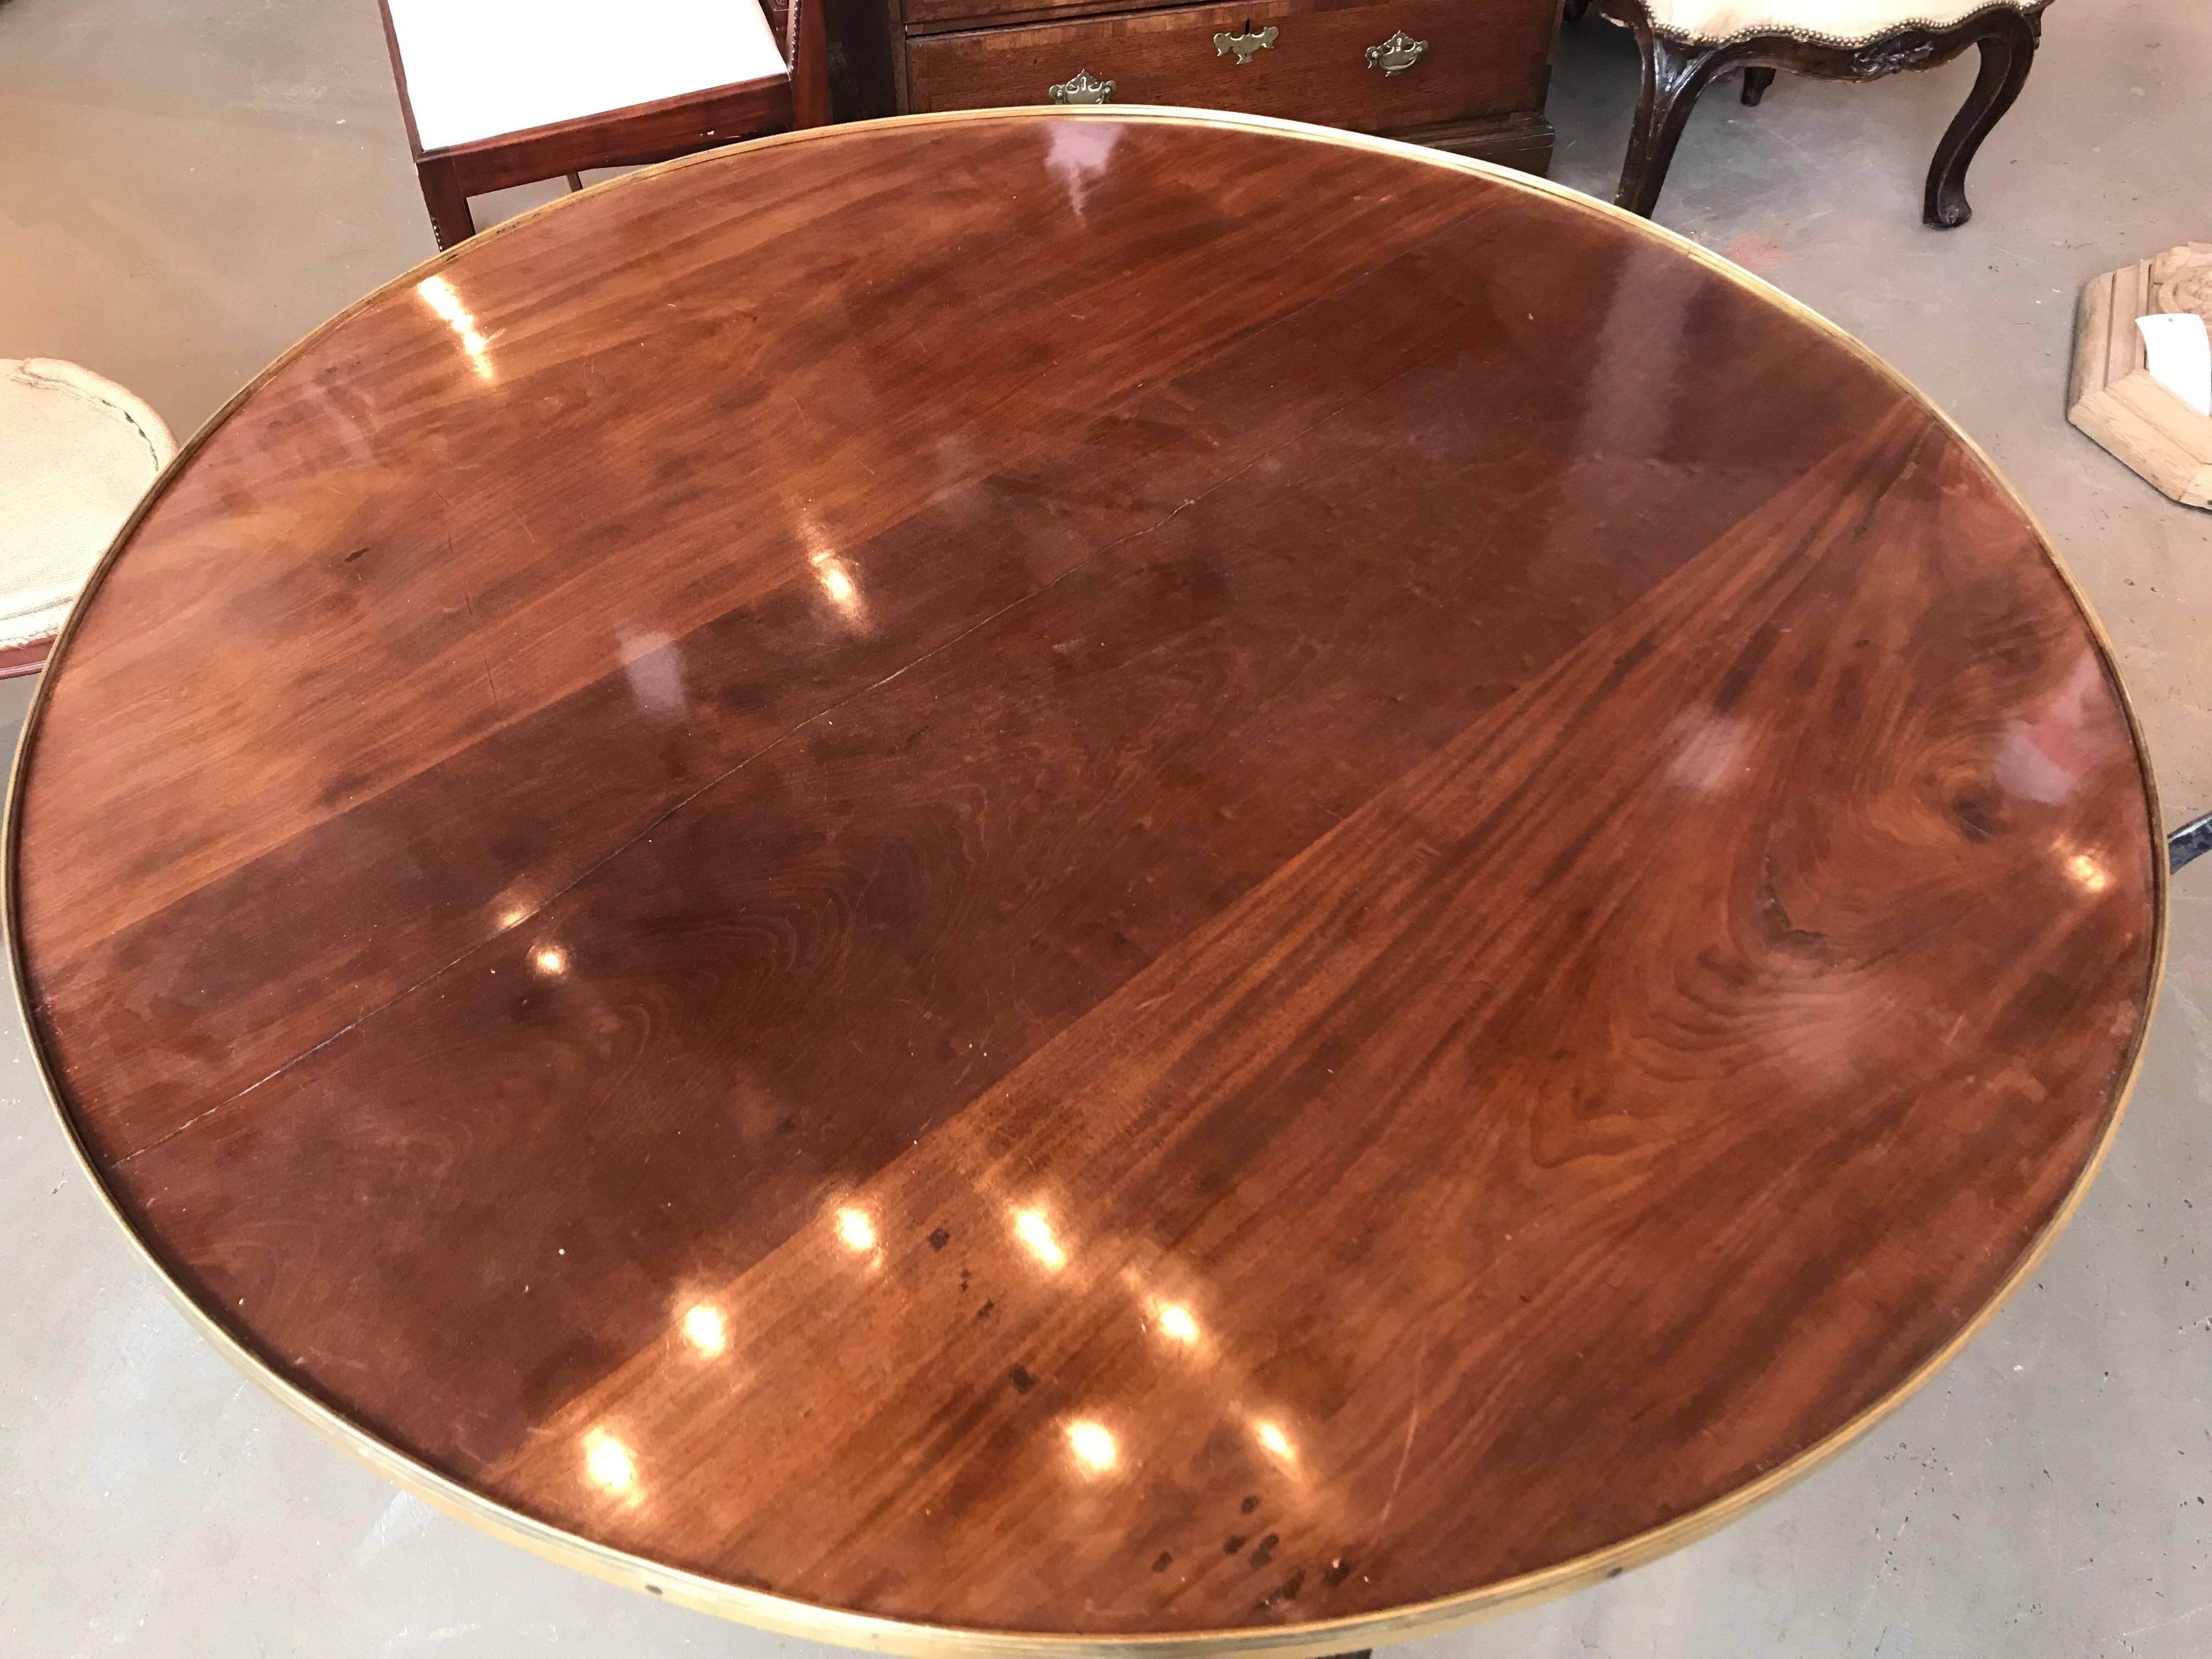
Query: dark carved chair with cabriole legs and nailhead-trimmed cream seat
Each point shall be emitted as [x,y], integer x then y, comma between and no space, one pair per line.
[1689,43]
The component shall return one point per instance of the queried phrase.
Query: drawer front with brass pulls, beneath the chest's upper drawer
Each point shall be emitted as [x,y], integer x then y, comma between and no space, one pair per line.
[1373,67]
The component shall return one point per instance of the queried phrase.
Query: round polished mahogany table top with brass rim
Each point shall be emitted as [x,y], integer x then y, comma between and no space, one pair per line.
[1085,877]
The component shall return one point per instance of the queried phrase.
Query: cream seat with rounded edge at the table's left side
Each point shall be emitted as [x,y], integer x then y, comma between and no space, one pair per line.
[76,455]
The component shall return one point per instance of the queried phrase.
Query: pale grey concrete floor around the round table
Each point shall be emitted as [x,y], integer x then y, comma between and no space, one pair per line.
[189,185]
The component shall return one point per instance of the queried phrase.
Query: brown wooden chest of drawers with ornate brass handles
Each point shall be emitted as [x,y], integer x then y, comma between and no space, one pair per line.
[1459,74]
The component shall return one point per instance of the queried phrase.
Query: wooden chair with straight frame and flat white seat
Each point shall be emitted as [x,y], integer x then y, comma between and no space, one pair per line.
[503,94]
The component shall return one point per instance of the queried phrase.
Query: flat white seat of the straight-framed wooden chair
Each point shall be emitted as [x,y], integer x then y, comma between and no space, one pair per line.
[490,67]
